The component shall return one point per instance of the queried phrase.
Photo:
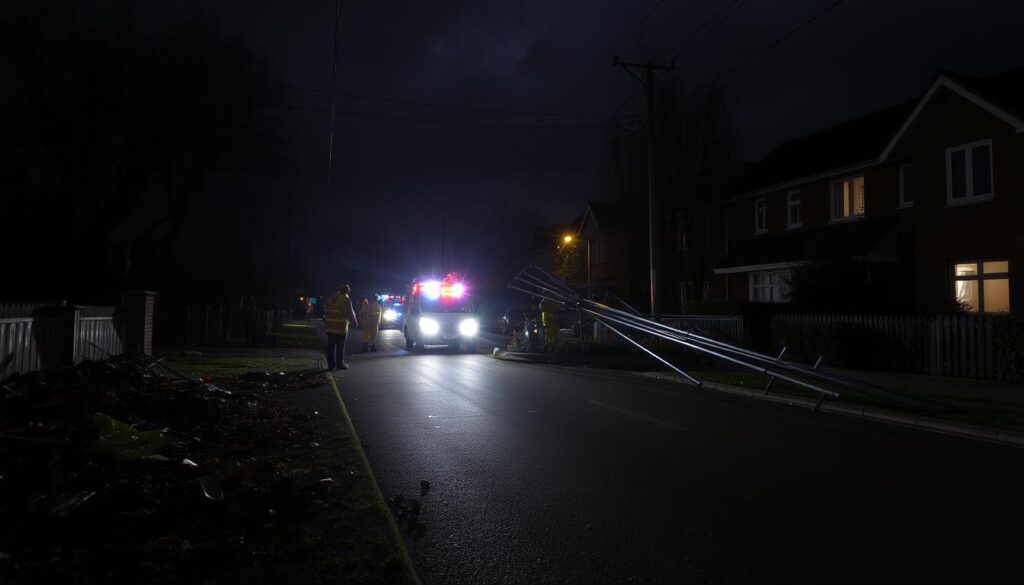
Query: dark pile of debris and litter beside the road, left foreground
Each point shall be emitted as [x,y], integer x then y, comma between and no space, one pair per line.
[126,472]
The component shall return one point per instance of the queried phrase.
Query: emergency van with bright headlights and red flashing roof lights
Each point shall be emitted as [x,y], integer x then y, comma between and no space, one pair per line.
[441,313]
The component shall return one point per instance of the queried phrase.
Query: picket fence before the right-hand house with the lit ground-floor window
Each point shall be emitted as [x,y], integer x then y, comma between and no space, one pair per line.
[960,346]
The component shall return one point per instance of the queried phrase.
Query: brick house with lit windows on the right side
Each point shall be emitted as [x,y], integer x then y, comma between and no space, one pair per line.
[927,196]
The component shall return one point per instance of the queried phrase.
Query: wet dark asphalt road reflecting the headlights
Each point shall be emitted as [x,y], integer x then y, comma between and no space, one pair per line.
[548,475]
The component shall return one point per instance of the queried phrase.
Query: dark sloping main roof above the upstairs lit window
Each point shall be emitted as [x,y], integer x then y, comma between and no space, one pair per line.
[843,146]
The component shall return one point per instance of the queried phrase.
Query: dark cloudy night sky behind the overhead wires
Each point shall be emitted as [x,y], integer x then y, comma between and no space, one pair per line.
[396,180]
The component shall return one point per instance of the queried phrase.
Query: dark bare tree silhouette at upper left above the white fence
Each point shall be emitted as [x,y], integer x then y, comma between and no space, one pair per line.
[120,135]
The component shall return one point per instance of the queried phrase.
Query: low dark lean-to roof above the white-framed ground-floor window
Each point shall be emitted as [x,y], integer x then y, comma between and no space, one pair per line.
[845,240]
